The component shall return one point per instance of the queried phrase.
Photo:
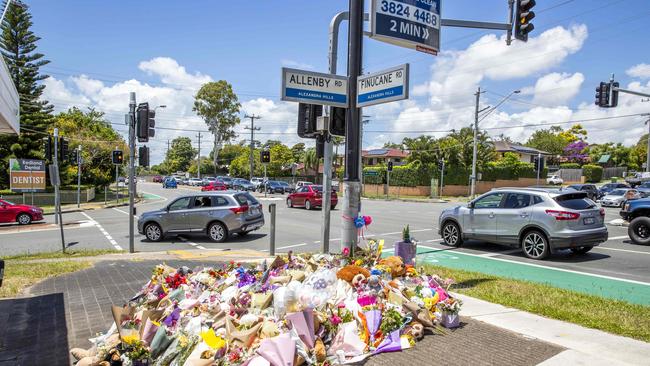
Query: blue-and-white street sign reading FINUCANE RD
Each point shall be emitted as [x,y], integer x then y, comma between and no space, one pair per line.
[384,86]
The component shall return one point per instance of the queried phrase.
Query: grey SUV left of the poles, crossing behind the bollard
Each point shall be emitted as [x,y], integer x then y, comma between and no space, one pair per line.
[218,214]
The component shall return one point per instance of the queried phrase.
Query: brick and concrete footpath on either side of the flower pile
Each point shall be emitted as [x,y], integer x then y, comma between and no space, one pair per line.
[65,311]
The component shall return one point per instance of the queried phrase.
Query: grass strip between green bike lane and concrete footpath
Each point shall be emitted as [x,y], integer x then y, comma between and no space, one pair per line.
[613,316]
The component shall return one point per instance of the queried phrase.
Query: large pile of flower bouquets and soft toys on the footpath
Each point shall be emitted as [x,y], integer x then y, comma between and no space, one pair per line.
[298,310]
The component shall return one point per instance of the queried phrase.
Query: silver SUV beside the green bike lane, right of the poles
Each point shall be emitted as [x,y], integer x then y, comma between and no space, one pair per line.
[536,220]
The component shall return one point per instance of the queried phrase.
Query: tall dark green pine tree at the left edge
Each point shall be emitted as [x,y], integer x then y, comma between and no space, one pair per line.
[18,48]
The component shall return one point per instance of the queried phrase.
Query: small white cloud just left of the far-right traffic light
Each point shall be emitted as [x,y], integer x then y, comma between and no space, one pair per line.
[557,89]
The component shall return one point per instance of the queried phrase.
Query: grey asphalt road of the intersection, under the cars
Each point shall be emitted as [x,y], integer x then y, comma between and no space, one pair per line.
[299,230]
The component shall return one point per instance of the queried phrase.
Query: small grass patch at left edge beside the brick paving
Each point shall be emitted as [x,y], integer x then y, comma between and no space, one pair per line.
[19,276]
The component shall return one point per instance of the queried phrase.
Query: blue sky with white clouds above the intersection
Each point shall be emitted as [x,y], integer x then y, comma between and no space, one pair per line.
[164,50]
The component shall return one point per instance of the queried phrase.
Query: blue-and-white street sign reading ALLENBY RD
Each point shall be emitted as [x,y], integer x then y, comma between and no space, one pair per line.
[314,88]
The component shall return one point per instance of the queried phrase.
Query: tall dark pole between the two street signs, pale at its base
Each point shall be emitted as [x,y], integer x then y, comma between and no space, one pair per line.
[352,188]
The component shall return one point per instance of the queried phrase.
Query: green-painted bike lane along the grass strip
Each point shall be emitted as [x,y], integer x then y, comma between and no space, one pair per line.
[635,292]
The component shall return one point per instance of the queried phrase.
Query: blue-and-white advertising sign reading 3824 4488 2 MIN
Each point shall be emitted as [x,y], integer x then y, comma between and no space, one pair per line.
[412,24]
